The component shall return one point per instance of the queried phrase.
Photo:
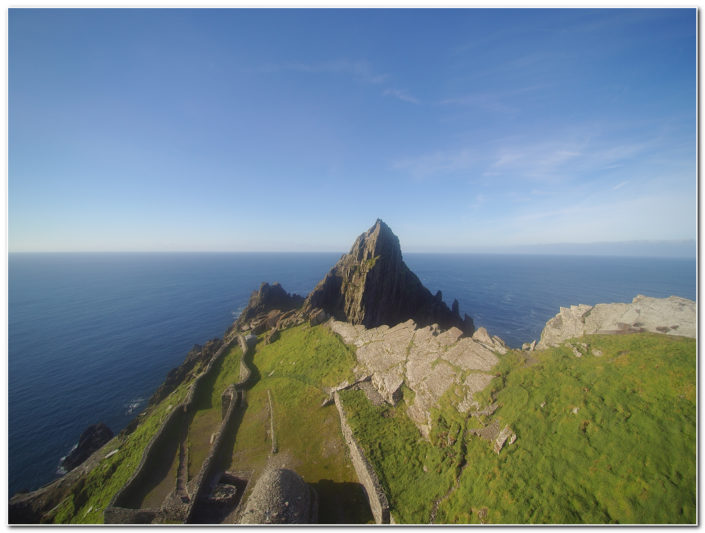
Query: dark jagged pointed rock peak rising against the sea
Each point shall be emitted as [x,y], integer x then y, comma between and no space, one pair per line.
[372,286]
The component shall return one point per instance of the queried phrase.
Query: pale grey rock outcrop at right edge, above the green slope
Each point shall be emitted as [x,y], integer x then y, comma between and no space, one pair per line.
[672,315]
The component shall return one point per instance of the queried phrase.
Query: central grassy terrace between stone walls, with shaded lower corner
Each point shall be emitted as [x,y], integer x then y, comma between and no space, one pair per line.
[296,369]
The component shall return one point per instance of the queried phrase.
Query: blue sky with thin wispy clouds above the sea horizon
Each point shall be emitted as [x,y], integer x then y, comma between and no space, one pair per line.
[199,130]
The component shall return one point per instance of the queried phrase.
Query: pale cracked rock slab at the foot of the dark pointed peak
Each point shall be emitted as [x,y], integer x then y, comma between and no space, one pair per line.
[427,360]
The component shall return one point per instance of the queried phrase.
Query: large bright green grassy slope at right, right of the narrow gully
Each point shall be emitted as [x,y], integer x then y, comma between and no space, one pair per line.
[626,456]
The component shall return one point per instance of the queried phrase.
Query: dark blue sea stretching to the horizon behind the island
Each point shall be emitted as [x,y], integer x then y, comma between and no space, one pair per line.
[92,335]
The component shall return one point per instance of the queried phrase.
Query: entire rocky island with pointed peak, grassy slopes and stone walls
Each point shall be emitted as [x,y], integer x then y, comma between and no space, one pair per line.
[372,401]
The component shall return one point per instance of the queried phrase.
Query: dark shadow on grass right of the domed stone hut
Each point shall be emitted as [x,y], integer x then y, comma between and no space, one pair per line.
[342,503]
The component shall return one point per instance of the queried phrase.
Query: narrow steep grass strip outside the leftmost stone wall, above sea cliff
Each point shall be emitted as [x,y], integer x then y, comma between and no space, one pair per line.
[87,500]
